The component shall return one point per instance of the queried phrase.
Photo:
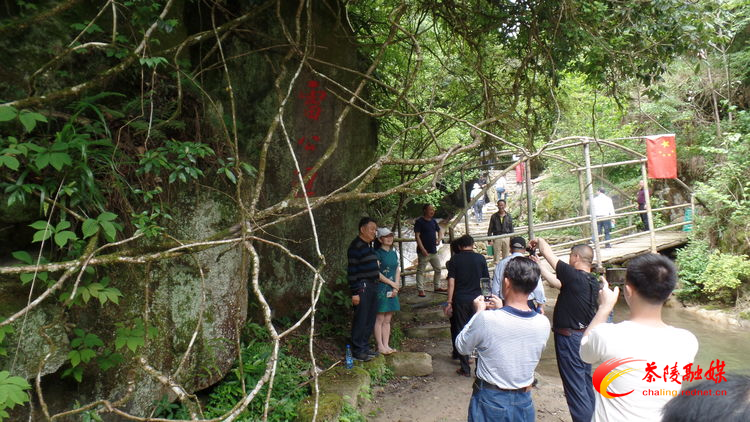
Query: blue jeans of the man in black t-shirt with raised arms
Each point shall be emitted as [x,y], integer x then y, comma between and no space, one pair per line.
[576,376]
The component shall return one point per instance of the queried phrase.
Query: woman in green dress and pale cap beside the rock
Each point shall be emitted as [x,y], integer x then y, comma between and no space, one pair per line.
[390,282]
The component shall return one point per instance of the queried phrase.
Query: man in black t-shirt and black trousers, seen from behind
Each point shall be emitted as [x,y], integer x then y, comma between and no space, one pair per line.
[464,272]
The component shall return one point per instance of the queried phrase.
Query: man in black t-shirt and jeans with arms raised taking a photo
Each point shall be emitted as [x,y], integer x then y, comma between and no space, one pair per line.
[576,306]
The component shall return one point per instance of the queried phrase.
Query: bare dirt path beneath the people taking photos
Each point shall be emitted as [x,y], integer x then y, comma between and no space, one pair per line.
[444,396]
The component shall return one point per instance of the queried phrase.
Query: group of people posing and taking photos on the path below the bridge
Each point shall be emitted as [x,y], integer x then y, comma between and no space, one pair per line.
[506,329]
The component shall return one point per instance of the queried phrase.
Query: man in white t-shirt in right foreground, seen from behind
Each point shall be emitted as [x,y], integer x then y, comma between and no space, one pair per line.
[640,359]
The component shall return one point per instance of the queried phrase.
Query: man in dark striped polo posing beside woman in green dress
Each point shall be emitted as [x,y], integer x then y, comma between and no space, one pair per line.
[363,273]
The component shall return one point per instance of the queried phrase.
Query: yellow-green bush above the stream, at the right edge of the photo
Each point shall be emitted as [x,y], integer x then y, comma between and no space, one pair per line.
[724,275]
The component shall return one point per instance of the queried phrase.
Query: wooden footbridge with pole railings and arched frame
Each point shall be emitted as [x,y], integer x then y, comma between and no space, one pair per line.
[627,241]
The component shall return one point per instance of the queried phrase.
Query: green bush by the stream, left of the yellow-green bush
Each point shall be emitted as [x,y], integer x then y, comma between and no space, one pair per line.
[692,261]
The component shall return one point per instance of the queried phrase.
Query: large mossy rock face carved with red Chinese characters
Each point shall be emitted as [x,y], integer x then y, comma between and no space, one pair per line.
[198,303]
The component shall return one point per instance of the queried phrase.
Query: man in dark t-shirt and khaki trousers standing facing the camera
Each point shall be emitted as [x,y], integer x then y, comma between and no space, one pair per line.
[427,232]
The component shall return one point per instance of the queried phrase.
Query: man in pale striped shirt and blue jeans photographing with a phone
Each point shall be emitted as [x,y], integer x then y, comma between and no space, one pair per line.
[509,342]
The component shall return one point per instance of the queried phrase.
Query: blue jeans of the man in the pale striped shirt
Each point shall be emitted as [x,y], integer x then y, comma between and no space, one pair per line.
[500,406]
